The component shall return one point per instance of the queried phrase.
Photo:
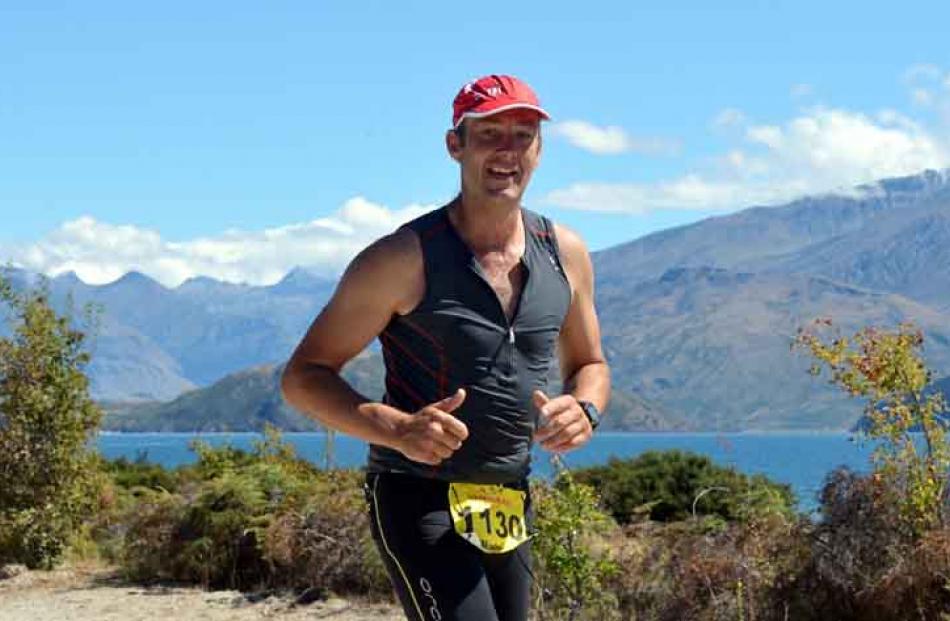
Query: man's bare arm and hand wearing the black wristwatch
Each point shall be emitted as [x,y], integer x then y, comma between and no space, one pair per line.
[583,365]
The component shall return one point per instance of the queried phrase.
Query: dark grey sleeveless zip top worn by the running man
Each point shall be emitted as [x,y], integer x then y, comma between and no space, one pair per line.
[459,337]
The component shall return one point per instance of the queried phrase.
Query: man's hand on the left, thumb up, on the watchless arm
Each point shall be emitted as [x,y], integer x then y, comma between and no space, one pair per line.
[432,434]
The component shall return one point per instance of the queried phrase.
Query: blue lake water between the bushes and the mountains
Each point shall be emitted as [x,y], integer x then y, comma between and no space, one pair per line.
[801,459]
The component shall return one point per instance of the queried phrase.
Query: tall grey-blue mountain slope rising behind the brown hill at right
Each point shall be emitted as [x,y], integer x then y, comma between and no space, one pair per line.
[783,238]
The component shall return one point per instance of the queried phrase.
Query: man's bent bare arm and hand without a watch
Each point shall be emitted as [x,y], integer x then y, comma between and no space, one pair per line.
[384,279]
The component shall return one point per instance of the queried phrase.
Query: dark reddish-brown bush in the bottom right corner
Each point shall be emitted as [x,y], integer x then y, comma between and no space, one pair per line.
[864,566]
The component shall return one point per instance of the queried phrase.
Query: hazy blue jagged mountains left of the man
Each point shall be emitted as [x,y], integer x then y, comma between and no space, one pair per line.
[153,342]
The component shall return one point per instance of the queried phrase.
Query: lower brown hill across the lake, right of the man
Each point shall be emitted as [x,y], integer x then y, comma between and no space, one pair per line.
[714,345]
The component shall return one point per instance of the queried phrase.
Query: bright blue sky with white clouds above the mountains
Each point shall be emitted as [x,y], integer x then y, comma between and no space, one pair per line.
[237,140]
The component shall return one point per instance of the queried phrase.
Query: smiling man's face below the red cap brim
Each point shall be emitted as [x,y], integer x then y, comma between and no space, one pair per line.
[498,155]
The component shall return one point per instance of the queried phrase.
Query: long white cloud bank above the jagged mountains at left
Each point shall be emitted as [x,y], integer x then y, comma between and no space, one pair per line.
[100,252]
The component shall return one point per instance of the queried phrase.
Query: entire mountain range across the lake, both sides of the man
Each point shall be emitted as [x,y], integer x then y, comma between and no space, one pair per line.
[697,320]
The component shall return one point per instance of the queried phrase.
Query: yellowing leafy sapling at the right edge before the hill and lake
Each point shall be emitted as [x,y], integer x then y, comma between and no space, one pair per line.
[912,458]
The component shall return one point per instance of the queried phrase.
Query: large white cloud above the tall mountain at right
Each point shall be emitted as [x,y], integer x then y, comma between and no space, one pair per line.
[822,150]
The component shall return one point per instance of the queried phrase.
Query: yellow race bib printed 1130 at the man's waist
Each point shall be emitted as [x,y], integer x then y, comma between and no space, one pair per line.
[490,517]
